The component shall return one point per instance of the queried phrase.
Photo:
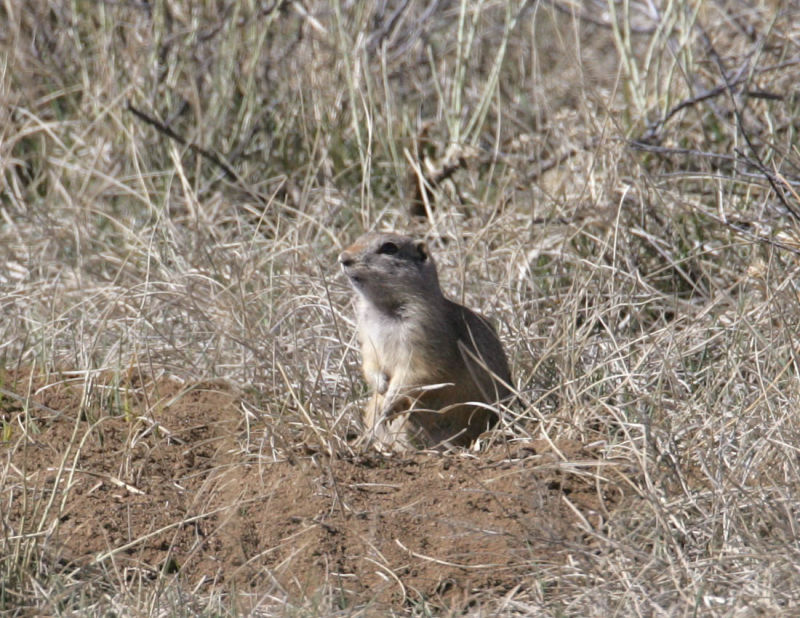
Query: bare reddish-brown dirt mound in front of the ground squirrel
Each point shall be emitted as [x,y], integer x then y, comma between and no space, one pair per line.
[161,477]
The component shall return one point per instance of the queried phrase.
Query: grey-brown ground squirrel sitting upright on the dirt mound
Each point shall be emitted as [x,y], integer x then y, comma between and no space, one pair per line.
[423,355]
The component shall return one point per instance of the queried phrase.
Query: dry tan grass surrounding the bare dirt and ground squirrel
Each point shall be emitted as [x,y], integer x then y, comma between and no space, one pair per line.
[623,201]
